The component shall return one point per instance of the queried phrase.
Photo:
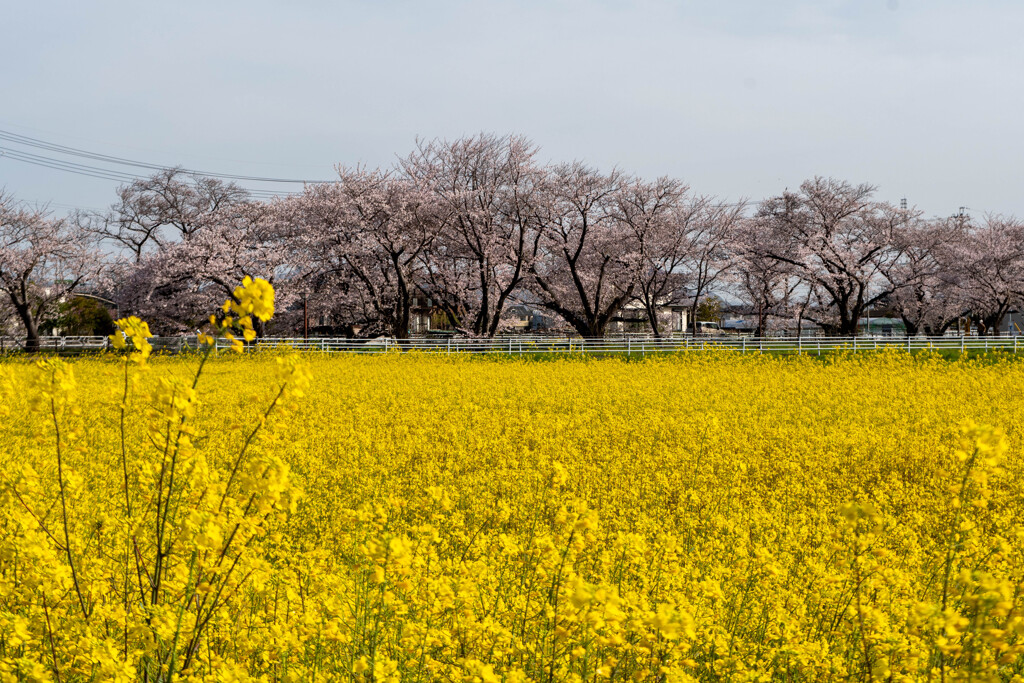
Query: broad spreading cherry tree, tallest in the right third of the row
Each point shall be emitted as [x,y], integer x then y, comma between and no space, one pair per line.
[839,241]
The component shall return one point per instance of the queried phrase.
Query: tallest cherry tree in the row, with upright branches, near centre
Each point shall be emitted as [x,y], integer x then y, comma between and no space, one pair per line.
[485,187]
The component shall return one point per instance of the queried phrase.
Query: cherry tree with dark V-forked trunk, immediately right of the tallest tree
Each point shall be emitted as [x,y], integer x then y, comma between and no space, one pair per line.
[585,263]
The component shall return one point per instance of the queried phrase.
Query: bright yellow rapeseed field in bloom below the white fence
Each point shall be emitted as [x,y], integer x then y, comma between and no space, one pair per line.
[437,519]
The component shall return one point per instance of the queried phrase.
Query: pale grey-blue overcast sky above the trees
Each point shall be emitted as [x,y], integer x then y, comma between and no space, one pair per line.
[923,99]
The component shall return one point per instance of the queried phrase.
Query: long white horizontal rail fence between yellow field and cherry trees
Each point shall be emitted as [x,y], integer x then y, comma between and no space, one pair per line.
[526,345]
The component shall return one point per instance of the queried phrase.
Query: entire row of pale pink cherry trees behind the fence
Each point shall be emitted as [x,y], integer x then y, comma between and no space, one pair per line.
[479,226]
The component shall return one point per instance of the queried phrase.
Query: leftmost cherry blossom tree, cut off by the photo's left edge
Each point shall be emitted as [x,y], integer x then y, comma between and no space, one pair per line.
[44,261]
